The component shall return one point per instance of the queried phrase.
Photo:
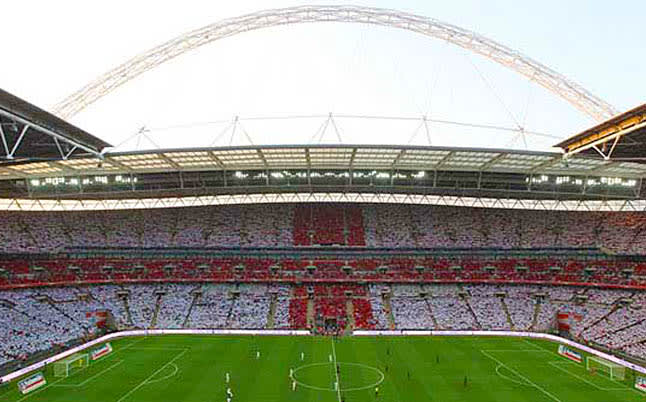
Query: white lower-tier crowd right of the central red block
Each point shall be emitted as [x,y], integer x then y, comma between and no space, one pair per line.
[615,319]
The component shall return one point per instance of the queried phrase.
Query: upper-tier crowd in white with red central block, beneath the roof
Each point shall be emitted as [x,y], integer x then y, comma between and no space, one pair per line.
[355,225]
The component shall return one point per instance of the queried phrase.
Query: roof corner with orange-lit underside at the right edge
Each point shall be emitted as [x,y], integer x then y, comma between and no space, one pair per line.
[621,138]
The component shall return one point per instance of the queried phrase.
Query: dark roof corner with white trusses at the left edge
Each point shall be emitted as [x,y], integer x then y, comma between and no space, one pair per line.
[29,133]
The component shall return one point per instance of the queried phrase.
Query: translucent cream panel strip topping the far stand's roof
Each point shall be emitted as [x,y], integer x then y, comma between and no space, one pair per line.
[308,157]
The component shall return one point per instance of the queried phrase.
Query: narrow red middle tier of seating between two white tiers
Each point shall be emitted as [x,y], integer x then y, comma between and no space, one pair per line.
[613,273]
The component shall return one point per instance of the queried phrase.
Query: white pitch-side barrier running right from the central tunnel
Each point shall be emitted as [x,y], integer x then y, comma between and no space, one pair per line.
[535,335]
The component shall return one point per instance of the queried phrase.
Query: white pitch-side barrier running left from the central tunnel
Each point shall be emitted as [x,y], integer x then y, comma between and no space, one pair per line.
[149,332]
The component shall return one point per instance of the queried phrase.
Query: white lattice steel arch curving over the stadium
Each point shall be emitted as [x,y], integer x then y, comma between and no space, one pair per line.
[558,84]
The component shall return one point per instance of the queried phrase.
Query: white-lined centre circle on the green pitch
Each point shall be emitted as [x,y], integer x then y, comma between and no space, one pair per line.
[352,376]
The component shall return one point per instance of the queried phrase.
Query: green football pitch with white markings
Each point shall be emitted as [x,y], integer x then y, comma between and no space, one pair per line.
[194,369]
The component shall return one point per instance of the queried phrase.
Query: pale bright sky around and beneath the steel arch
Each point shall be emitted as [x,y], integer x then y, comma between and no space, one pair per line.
[316,69]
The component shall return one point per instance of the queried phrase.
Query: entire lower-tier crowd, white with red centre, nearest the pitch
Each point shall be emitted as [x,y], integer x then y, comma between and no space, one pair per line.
[38,318]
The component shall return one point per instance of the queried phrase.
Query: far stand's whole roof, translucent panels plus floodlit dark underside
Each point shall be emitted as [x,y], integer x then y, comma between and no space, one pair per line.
[493,173]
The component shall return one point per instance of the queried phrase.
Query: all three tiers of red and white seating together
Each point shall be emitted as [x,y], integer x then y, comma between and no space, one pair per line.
[233,287]
